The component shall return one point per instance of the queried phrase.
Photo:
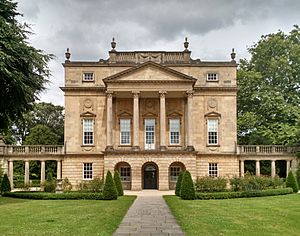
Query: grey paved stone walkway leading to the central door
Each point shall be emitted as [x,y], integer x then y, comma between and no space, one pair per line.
[149,215]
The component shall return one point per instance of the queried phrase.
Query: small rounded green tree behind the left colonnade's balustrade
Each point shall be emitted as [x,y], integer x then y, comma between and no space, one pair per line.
[41,135]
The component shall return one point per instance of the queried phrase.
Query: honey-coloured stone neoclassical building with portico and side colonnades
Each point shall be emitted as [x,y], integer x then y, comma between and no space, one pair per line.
[149,115]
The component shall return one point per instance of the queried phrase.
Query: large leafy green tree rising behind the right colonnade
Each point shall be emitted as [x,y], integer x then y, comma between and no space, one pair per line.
[269,91]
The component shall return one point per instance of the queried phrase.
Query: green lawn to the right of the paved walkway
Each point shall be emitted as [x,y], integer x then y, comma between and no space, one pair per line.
[277,215]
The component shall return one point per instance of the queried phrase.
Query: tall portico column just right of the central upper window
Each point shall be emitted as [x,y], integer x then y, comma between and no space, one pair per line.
[162,116]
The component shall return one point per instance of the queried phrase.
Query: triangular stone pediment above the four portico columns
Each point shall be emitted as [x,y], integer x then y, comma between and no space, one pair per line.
[149,72]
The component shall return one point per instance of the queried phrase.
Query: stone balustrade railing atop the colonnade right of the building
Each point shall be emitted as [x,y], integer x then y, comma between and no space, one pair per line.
[265,149]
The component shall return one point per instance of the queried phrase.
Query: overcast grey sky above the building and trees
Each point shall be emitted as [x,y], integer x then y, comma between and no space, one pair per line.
[213,28]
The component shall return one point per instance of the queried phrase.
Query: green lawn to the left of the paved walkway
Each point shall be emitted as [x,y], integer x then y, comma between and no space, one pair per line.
[61,217]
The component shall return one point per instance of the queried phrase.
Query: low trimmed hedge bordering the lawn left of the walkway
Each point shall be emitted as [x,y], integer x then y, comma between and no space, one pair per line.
[55,196]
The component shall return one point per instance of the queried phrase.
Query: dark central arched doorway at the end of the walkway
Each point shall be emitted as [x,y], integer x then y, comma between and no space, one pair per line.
[150,175]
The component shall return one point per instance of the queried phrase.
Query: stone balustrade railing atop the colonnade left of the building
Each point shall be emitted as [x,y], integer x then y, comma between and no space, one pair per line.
[32,149]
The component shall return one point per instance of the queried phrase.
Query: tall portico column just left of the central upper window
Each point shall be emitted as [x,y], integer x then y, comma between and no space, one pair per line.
[136,121]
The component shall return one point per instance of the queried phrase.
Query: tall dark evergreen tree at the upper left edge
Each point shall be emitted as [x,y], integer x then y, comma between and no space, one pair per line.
[23,68]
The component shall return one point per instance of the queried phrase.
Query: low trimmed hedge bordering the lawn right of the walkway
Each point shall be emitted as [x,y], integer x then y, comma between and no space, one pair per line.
[244,194]
